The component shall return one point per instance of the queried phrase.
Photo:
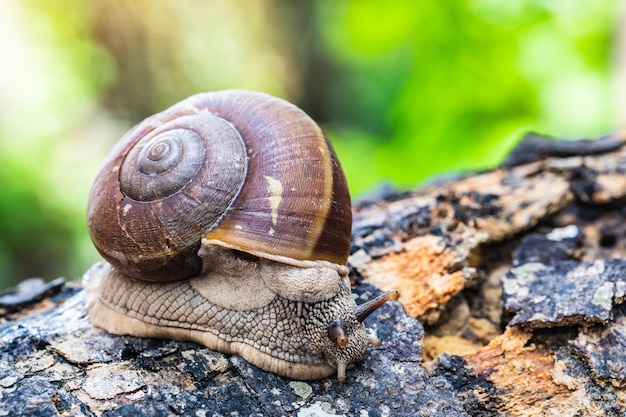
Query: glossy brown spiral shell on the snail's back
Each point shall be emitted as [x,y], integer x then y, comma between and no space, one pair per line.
[268,183]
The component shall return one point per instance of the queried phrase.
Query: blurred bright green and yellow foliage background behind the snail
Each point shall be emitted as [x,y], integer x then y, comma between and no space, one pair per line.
[406,90]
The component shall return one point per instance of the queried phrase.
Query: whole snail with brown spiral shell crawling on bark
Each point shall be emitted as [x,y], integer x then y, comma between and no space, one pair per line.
[225,220]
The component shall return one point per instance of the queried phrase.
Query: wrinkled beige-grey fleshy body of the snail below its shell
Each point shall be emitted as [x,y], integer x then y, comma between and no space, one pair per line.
[276,333]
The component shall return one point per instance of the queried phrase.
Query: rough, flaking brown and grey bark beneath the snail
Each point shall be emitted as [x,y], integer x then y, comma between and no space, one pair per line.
[517,275]
